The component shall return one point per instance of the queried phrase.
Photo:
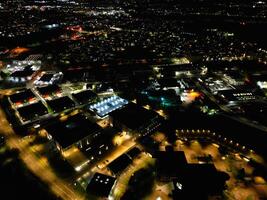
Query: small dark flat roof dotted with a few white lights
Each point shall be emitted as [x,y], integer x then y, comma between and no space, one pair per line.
[101,185]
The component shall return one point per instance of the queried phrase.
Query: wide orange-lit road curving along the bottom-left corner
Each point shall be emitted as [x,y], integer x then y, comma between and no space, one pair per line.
[35,164]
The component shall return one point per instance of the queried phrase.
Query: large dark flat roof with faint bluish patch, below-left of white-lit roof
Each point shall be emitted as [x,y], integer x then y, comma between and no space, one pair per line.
[72,130]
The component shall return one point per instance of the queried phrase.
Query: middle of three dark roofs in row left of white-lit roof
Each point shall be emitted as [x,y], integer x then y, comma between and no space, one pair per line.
[61,104]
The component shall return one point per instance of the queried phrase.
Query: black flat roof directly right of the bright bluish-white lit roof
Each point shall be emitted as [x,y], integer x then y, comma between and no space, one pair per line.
[133,116]
